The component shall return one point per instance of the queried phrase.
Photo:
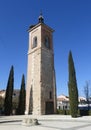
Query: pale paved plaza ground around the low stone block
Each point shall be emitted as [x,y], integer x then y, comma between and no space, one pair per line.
[47,122]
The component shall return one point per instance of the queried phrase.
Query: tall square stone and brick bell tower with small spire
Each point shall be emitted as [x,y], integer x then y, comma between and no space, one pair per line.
[41,84]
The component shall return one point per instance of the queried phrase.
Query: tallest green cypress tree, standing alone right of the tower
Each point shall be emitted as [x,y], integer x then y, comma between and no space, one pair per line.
[72,86]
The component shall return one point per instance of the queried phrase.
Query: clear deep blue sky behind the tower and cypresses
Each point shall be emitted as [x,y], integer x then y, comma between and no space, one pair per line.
[71,20]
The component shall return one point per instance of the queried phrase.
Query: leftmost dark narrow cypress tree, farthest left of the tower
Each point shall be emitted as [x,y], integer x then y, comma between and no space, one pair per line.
[9,93]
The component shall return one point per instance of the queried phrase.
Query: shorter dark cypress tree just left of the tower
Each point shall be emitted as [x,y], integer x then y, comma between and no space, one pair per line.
[21,105]
